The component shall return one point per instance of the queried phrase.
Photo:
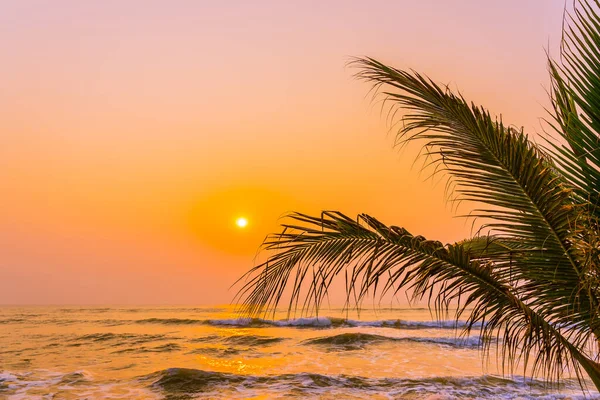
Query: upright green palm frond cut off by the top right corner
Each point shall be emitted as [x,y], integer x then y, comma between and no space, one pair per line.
[576,103]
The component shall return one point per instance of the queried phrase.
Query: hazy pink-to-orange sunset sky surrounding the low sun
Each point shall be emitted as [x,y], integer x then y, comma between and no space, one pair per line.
[134,134]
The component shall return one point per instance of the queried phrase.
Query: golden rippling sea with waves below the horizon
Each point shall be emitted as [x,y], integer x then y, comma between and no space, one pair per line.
[184,352]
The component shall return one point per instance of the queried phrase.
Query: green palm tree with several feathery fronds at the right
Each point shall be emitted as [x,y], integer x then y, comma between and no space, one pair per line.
[531,276]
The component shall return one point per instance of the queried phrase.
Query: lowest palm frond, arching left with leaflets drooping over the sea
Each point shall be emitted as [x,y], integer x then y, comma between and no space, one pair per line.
[376,259]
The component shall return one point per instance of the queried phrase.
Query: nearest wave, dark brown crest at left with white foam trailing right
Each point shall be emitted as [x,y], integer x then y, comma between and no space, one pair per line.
[174,382]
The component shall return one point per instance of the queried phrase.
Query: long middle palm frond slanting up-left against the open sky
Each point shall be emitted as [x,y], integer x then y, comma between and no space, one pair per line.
[515,186]
